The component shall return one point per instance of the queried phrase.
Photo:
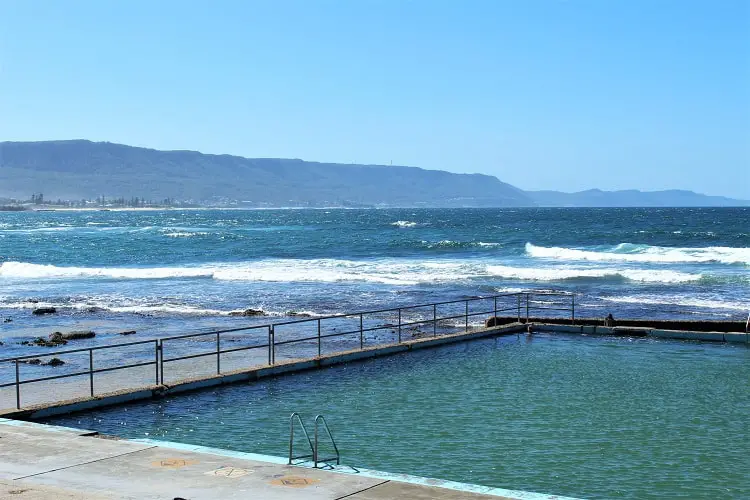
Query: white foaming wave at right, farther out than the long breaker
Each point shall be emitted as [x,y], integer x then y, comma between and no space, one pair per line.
[627,252]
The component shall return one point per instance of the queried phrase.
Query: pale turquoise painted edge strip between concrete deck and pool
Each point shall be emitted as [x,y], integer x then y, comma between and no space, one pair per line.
[282,462]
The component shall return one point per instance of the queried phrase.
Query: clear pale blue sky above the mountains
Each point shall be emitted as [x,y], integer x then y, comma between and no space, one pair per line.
[568,95]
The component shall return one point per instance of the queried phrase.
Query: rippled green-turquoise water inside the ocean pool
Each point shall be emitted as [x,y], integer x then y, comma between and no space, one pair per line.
[591,417]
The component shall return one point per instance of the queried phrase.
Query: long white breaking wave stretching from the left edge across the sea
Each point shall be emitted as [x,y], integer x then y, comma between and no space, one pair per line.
[383,271]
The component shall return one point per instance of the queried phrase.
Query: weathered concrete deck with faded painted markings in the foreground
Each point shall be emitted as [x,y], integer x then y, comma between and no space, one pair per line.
[45,462]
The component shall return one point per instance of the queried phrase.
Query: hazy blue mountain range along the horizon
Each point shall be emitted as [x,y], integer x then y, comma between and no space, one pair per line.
[83,169]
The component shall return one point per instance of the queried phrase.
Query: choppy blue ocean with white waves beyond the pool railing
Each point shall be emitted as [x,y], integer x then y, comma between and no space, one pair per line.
[173,271]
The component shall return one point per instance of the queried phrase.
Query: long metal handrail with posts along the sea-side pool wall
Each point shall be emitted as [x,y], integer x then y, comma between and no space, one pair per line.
[159,359]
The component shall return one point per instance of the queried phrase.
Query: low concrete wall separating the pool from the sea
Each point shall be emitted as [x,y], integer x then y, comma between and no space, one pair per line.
[295,366]
